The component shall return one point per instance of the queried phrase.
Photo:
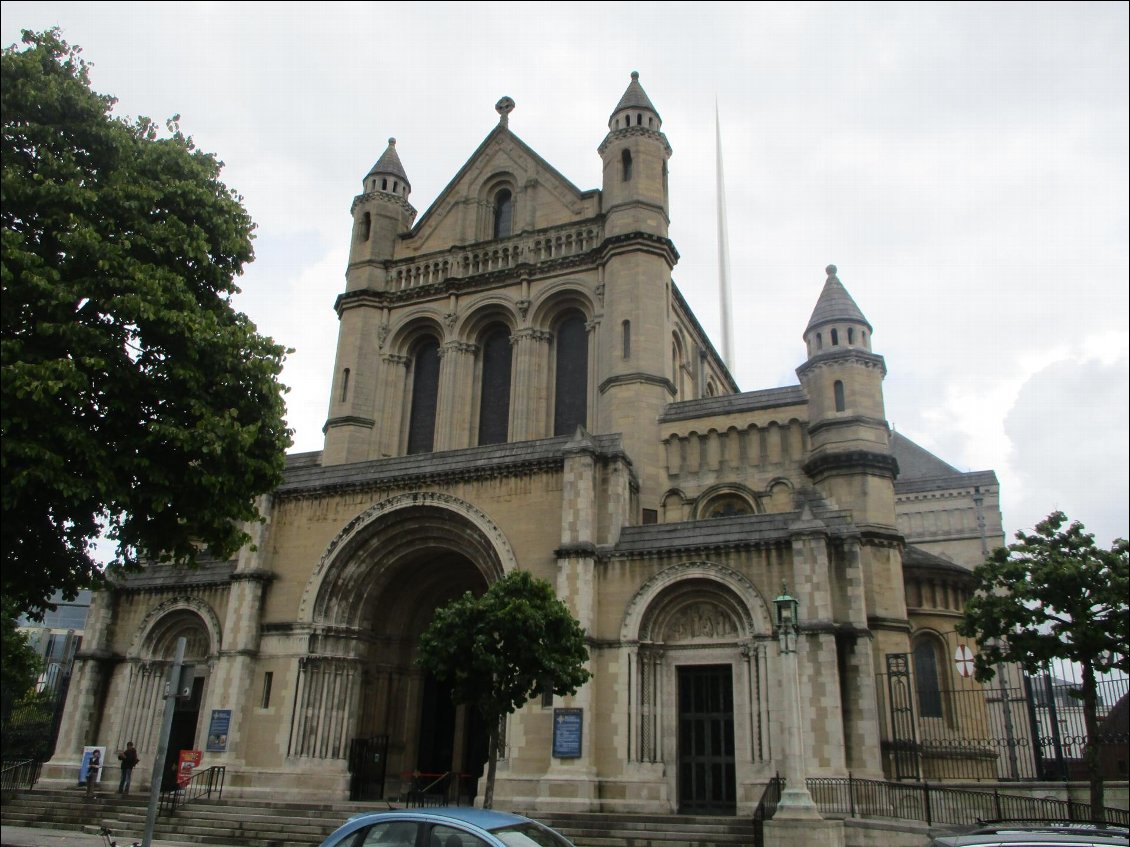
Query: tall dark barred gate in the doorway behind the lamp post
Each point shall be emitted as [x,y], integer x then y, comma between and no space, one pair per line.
[707,770]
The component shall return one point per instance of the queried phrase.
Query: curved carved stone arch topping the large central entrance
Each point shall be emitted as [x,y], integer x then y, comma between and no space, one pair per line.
[360,560]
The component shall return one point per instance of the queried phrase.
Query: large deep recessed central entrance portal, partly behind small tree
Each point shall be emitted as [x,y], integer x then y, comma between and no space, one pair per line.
[373,595]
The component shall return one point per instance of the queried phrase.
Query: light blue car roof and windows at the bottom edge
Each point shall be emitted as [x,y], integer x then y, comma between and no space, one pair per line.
[448,827]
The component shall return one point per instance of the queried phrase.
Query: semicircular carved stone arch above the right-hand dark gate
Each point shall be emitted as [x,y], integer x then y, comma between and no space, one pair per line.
[660,598]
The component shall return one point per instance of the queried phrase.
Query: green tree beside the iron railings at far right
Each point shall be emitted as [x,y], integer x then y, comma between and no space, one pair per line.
[1051,596]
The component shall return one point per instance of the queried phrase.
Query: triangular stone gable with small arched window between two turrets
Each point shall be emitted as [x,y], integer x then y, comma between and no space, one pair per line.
[559,200]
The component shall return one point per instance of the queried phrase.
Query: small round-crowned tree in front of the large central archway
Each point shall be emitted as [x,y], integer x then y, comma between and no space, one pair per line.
[500,650]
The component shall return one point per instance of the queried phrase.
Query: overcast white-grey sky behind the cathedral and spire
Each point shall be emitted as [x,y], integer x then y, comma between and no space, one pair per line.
[966,167]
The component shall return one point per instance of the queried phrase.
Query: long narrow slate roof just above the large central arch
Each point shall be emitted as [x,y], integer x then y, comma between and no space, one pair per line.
[486,461]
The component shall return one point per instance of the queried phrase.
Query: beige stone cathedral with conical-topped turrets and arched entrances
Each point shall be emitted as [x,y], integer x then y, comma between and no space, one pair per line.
[519,385]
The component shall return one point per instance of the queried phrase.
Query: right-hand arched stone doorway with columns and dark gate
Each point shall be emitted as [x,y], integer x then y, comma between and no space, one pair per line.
[701,679]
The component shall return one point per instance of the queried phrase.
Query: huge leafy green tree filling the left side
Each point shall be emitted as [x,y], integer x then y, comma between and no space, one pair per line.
[137,403]
